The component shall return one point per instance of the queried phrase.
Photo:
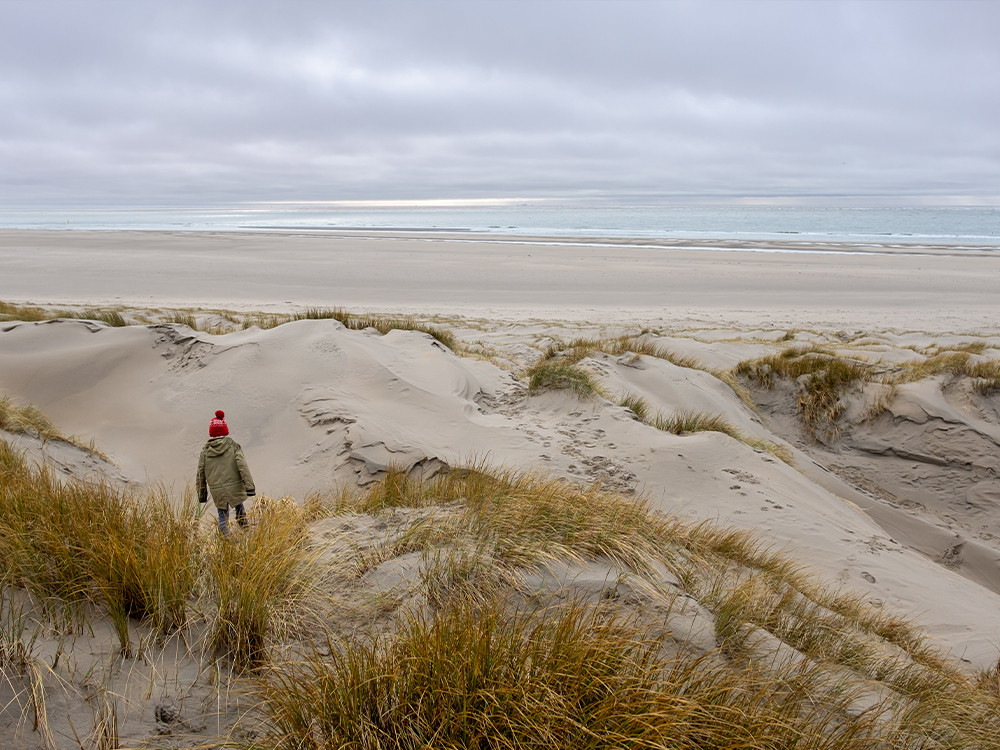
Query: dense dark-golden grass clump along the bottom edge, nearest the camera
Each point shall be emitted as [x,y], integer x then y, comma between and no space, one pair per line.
[576,678]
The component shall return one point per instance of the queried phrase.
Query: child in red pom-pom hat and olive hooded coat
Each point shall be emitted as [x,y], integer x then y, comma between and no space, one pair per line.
[222,468]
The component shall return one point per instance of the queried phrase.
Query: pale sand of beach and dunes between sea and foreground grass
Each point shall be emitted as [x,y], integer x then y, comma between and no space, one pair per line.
[899,503]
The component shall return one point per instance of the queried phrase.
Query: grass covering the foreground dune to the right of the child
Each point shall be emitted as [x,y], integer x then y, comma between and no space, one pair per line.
[480,669]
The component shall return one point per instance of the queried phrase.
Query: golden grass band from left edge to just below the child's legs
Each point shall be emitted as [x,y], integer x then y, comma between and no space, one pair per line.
[142,558]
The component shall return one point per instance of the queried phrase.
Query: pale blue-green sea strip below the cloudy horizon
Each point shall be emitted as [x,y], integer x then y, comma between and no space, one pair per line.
[975,228]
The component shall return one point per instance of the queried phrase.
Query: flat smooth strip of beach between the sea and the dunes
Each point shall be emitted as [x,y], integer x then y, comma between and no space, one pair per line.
[930,289]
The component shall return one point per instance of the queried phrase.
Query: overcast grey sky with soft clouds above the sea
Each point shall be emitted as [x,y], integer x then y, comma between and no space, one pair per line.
[657,101]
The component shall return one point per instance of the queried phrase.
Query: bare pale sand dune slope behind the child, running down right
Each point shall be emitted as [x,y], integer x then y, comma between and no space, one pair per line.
[316,405]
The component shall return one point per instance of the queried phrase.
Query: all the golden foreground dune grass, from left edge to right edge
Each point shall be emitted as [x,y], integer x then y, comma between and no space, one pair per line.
[485,663]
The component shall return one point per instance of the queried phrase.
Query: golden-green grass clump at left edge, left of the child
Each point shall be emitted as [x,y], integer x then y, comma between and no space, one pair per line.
[88,542]
